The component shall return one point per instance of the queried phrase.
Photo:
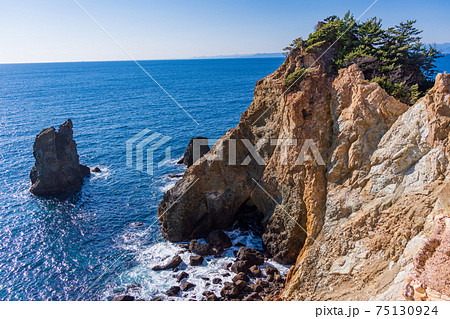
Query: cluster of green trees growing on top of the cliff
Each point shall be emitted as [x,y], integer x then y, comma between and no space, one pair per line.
[394,57]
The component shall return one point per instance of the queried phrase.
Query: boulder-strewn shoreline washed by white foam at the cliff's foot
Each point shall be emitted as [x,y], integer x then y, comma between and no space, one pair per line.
[248,276]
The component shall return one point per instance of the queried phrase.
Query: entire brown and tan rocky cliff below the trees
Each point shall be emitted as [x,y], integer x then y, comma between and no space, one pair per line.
[359,204]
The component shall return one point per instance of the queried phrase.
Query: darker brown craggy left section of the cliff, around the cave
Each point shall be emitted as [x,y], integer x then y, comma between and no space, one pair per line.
[213,192]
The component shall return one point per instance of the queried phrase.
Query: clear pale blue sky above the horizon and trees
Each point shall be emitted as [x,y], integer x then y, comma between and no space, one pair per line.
[58,30]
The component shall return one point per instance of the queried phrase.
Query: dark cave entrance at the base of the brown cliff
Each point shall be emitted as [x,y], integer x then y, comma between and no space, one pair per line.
[248,217]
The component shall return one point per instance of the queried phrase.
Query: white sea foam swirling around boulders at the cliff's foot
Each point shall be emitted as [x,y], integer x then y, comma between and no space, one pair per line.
[142,282]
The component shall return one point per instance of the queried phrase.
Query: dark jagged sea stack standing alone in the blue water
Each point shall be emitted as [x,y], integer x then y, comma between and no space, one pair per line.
[57,169]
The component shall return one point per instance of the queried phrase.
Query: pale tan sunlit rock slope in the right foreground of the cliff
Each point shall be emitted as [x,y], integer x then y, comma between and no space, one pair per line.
[378,241]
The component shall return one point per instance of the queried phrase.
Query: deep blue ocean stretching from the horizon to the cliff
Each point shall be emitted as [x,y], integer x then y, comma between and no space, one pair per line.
[92,246]
